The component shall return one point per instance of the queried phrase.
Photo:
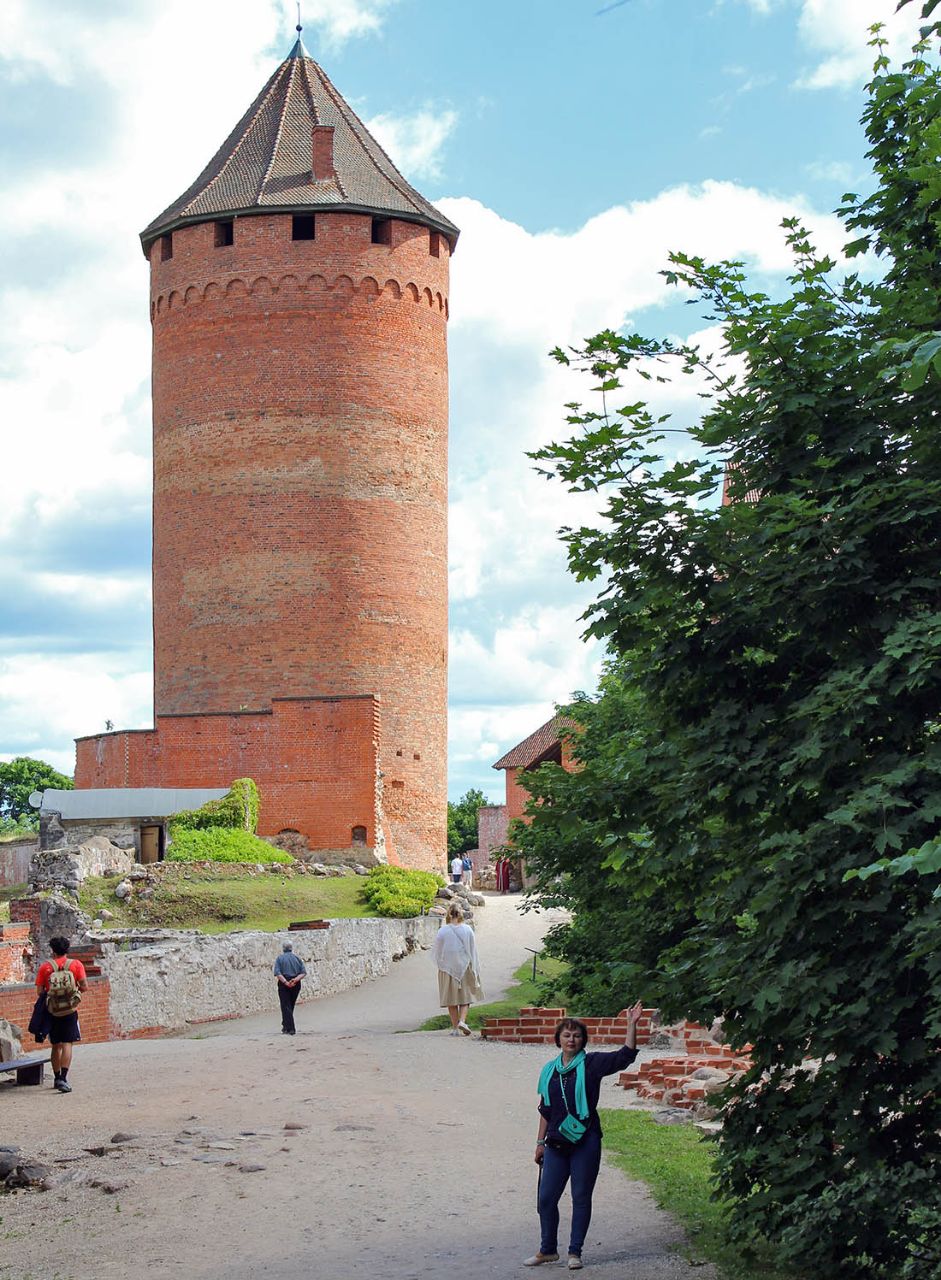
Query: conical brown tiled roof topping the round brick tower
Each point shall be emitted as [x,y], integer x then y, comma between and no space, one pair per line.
[266,163]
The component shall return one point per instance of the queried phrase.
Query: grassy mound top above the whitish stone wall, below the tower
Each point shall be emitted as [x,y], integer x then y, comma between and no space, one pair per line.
[226,899]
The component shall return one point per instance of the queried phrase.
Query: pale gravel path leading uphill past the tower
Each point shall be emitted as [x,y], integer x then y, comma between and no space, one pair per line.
[346,1151]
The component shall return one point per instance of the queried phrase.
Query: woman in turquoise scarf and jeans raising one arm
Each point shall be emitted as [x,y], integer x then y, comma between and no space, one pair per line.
[569,1144]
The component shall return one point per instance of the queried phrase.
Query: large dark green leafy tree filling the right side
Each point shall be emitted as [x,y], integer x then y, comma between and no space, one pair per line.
[770,729]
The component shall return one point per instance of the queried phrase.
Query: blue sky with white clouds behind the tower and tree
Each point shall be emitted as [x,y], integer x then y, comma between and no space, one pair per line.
[575,143]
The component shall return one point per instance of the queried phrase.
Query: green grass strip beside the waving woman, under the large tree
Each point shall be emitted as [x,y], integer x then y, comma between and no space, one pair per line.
[675,1162]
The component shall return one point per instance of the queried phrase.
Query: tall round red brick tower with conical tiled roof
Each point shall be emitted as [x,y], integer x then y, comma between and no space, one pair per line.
[300,303]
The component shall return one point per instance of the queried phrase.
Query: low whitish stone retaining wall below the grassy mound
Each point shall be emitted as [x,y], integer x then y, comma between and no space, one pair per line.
[154,984]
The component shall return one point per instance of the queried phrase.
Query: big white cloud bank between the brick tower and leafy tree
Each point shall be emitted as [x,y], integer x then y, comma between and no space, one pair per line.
[515,295]
